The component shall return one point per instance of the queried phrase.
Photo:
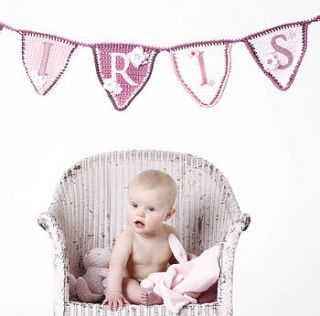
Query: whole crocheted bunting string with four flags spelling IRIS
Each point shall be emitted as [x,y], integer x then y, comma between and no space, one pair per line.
[203,68]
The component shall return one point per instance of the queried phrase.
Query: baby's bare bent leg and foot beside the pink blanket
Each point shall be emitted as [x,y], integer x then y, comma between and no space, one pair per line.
[138,295]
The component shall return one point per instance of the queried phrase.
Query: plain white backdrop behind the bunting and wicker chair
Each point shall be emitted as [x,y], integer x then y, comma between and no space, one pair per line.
[265,141]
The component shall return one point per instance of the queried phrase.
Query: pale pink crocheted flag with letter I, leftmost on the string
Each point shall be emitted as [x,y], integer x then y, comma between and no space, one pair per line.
[45,58]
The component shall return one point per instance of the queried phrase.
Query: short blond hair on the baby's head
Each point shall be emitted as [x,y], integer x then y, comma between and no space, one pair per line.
[155,178]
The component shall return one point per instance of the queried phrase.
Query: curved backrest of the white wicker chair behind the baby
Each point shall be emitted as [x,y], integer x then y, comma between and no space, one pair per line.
[92,198]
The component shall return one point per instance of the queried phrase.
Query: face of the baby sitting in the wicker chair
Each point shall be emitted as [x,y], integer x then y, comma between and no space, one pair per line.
[147,208]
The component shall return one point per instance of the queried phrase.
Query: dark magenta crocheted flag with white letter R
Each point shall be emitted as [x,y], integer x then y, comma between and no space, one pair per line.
[123,70]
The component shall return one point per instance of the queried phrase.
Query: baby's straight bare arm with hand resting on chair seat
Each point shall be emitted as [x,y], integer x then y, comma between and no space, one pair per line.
[119,257]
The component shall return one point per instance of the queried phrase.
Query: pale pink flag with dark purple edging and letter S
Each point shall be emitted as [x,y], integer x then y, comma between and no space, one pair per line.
[279,52]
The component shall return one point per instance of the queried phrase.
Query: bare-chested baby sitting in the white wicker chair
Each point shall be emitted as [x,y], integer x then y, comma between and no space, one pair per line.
[143,247]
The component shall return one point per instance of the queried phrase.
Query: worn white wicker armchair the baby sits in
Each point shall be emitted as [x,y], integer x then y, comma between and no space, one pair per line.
[88,211]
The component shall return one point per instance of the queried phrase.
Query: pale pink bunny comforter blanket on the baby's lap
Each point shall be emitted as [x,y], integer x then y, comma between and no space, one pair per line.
[182,283]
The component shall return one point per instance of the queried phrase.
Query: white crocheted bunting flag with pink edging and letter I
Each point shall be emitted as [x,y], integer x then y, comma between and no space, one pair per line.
[203,69]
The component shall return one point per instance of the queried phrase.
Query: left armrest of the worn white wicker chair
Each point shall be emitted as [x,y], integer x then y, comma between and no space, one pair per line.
[60,260]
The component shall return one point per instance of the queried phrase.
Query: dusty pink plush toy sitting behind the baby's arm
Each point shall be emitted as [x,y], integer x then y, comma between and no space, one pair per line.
[91,287]
